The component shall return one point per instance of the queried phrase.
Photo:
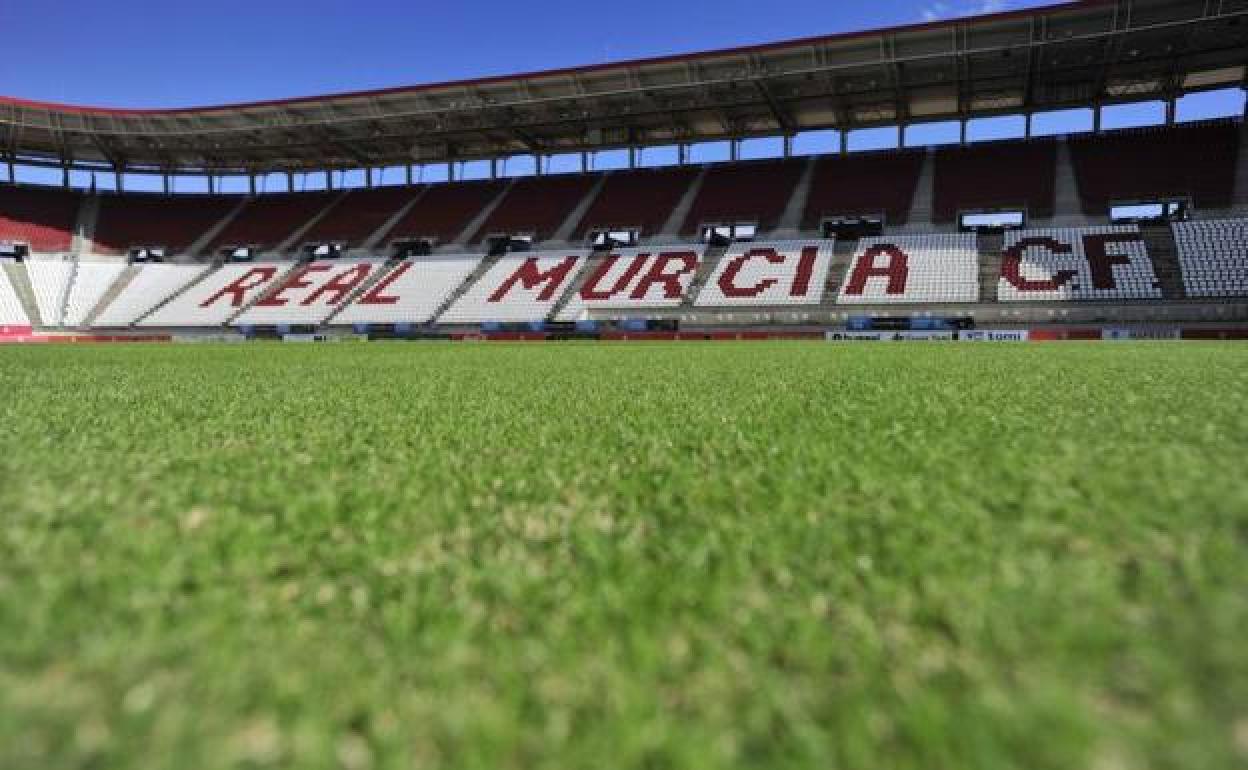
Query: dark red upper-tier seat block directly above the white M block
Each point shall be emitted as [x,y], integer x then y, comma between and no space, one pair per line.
[537,205]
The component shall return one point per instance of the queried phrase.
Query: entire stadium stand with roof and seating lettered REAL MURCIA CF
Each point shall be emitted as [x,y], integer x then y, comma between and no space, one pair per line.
[1121,229]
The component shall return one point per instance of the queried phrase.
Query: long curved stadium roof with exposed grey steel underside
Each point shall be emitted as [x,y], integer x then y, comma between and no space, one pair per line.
[1069,56]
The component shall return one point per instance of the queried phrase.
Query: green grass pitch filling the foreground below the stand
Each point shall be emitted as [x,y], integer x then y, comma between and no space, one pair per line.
[625,556]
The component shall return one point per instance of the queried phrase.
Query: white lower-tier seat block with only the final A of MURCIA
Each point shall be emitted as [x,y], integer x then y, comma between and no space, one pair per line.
[913,269]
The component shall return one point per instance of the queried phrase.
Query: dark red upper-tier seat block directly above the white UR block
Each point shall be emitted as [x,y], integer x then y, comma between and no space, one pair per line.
[643,199]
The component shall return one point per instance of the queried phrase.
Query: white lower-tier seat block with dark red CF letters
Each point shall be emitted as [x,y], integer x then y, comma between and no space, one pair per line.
[1078,264]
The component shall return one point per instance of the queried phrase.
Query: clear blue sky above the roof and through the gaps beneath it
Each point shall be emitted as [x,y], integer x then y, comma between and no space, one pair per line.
[187,53]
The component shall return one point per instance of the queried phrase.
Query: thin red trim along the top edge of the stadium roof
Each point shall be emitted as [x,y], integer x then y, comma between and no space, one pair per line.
[558,73]
